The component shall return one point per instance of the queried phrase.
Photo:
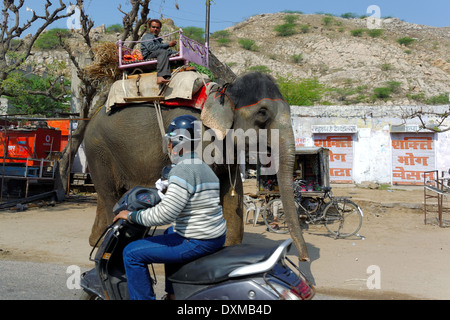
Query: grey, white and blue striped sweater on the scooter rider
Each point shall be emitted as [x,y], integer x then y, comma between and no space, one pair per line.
[191,202]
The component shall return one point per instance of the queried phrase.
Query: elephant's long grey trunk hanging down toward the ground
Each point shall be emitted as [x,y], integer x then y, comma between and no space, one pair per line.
[285,178]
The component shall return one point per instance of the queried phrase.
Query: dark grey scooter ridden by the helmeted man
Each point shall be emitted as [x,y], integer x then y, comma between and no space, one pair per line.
[240,272]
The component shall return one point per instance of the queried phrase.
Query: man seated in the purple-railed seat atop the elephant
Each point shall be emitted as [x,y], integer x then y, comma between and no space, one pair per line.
[153,47]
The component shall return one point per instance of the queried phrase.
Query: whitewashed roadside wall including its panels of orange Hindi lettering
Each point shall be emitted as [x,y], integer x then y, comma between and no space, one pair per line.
[381,144]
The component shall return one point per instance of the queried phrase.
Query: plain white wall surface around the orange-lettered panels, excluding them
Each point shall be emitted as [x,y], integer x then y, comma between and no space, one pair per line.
[372,139]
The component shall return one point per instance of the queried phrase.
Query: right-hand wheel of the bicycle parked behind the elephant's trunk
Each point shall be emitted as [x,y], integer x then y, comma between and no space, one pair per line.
[343,217]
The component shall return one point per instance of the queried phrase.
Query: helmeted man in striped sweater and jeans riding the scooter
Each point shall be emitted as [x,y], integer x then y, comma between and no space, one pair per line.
[191,203]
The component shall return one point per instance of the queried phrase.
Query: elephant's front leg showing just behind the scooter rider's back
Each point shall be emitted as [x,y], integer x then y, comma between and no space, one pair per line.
[233,210]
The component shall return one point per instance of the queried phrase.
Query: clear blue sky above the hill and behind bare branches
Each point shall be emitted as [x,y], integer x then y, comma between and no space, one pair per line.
[226,13]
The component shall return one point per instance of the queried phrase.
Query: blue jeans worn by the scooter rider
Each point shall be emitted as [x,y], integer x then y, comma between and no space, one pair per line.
[169,248]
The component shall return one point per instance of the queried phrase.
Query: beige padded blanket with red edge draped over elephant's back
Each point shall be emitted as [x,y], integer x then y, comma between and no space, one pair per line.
[185,89]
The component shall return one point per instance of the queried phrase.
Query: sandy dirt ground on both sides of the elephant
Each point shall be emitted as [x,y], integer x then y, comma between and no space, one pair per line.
[397,252]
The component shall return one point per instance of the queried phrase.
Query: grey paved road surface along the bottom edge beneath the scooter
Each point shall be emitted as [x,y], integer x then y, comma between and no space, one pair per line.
[38,281]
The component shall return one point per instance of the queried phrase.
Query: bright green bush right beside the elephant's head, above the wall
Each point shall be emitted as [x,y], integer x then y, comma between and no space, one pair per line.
[301,92]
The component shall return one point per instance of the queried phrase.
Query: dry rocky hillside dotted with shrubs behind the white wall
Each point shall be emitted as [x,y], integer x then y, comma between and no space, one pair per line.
[344,56]
